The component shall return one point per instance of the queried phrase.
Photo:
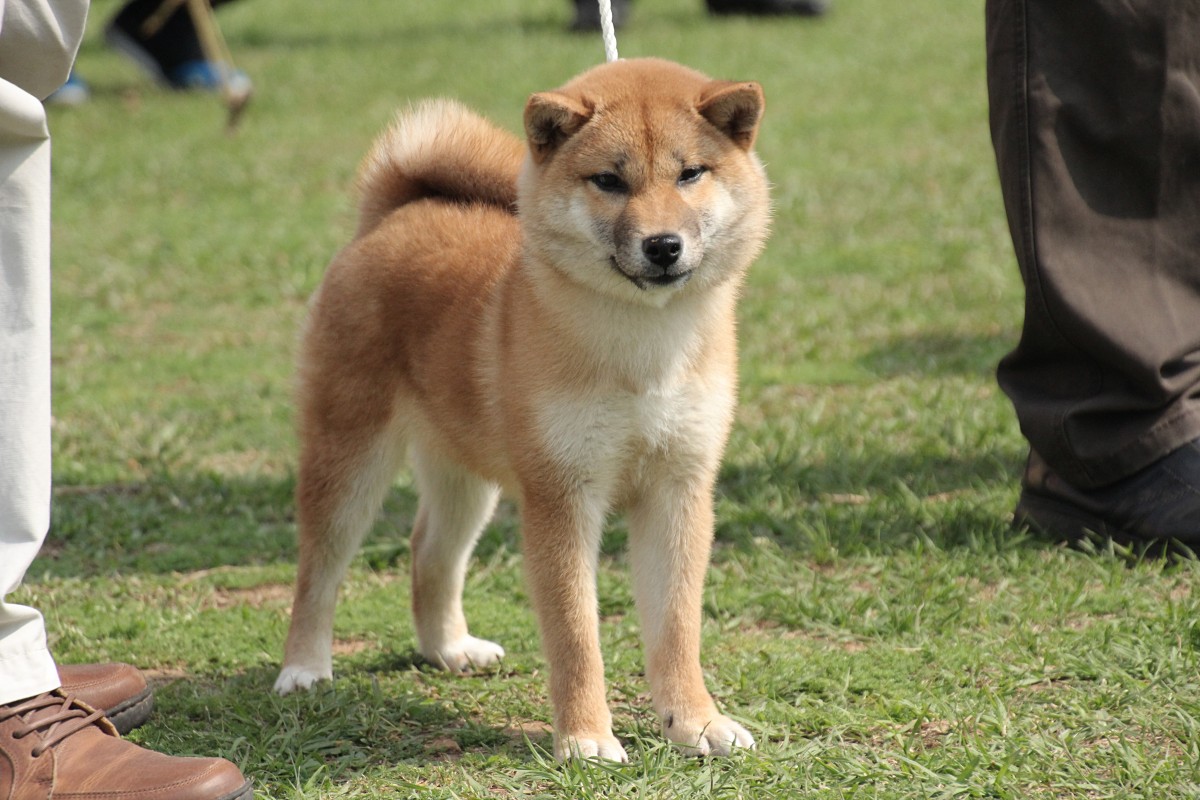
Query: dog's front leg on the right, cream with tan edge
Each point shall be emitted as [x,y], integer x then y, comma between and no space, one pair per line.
[670,540]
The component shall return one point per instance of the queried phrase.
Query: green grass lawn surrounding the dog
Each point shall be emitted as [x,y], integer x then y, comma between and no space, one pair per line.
[871,616]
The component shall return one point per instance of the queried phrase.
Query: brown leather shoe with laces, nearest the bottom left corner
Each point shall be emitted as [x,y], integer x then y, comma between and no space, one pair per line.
[53,745]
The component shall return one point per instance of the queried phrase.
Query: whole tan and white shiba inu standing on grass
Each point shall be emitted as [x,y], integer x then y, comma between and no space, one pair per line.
[555,320]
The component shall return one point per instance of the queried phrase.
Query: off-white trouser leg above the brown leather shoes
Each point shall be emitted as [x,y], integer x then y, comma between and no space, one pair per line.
[39,40]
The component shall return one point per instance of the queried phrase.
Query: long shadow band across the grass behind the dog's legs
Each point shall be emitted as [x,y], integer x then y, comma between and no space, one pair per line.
[847,502]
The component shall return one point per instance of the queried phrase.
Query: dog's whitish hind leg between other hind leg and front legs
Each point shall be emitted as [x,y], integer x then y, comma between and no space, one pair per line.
[455,506]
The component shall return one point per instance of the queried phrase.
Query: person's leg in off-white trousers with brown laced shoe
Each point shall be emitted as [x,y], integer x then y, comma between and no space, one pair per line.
[50,743]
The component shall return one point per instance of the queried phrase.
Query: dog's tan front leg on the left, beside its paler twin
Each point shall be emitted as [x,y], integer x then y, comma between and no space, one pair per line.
[562,544]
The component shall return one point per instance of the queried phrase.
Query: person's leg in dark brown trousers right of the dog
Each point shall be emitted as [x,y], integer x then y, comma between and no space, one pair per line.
[1096,125]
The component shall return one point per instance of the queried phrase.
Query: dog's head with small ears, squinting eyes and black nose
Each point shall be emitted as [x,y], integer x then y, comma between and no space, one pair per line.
[641,181]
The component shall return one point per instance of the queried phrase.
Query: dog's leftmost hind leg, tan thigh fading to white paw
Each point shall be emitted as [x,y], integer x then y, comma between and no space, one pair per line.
[343,483]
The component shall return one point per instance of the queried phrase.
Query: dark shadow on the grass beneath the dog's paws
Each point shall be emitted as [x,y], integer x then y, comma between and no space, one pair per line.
[365,720]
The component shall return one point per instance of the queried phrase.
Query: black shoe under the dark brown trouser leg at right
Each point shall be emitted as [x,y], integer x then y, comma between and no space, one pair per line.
[1159,506]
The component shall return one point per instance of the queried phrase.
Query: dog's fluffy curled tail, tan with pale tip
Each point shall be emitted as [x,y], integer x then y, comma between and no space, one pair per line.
[442,149]
